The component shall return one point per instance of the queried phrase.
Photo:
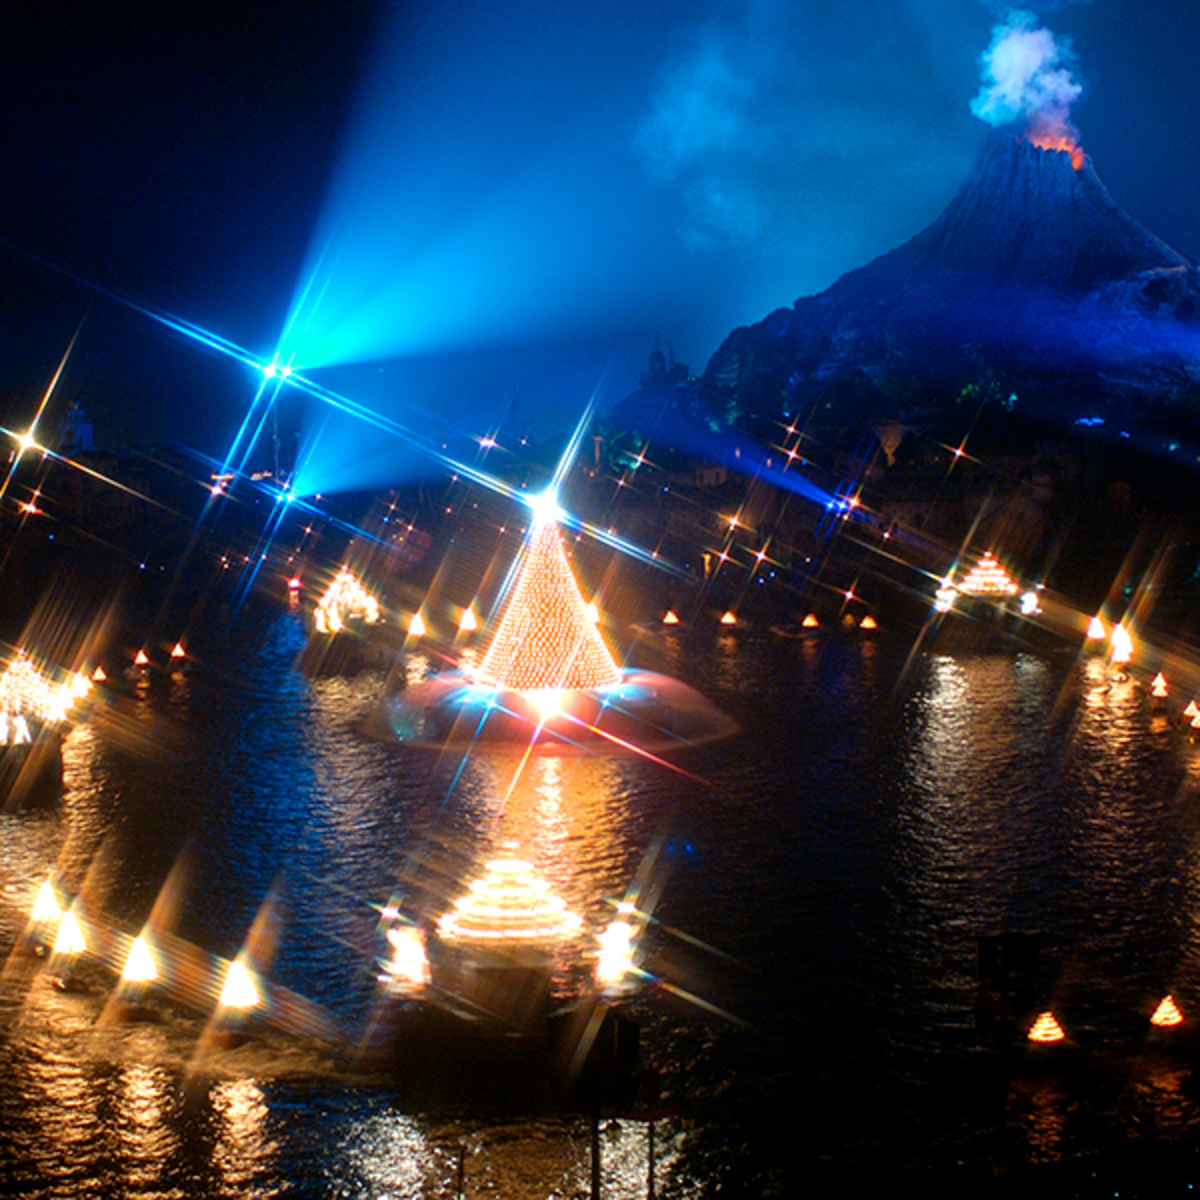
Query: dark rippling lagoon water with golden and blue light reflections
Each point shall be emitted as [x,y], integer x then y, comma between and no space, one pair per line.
[821,881]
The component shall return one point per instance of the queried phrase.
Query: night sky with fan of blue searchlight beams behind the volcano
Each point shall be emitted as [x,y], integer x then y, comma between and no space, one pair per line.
[512,200]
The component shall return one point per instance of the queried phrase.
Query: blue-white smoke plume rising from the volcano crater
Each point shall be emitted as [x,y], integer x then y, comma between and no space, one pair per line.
[1028,76]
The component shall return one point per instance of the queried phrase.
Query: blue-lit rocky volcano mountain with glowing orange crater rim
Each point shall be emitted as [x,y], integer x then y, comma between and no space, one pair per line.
[1033,278]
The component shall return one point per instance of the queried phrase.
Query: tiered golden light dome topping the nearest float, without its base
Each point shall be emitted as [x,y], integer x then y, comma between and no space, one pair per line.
[509,904]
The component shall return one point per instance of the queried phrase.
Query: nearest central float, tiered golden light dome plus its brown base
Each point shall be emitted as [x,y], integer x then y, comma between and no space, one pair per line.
[501,937]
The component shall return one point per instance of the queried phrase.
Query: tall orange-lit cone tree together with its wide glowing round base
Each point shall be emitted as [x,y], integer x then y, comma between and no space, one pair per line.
[548,679]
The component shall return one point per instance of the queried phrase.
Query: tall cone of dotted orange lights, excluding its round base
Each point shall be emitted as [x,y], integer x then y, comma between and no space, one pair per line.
[545,639]
